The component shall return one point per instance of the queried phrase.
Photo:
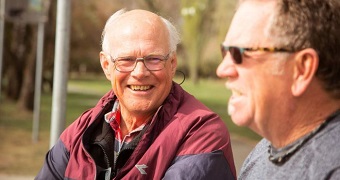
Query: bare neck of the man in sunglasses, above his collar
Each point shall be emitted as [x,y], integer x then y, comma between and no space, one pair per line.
[305,118]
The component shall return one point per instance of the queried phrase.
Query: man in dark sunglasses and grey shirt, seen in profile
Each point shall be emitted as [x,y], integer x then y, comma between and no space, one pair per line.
[281,59]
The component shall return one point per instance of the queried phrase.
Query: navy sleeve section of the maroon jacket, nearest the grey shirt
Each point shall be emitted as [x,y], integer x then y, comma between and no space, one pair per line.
[200,166]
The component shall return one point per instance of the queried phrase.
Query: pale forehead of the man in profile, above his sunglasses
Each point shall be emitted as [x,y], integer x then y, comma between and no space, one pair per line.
[249,27]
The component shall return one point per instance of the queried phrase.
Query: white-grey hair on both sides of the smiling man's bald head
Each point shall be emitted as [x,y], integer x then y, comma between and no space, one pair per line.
[174,38]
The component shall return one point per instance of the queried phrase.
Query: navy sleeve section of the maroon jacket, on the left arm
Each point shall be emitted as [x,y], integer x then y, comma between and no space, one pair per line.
[55,163]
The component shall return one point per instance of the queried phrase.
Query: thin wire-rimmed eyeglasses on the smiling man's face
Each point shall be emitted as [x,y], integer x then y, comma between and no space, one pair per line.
[151,62]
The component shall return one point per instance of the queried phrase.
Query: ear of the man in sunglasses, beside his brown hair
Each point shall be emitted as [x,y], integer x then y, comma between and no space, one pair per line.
[306,63]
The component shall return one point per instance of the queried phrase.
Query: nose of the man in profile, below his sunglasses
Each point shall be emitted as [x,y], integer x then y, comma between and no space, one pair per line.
[226,68]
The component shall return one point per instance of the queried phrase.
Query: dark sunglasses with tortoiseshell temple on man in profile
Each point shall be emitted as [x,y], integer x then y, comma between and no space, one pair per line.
[237,52]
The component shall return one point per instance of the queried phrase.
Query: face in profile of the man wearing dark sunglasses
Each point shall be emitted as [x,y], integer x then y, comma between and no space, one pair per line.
[259,82]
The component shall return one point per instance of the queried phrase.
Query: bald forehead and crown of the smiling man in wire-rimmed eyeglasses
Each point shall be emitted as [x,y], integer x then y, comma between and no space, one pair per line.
[137,31]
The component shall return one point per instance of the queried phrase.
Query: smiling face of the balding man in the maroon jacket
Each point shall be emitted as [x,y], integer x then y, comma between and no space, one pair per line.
[140,92]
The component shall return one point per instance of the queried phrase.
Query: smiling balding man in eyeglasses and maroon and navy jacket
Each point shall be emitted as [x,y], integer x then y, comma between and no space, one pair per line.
[147,126]
